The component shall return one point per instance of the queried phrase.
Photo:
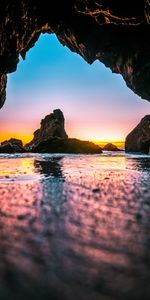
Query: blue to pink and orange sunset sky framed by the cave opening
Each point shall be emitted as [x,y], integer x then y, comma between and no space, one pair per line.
[96,104]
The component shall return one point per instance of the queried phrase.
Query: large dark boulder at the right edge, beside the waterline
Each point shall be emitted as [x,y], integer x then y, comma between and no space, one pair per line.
[138,139]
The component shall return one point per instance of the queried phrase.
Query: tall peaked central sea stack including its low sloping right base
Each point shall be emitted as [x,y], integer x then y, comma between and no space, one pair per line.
[52,138]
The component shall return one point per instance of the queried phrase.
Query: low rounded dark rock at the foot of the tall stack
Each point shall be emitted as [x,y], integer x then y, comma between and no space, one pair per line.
[68,145]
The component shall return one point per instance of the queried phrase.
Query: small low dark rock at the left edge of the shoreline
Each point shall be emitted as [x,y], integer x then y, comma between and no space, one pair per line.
[12,146]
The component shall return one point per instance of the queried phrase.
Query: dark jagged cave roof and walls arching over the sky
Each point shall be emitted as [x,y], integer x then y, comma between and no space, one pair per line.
[114,32]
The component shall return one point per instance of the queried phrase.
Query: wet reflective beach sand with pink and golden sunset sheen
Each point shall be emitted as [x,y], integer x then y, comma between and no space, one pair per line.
[75,227]
